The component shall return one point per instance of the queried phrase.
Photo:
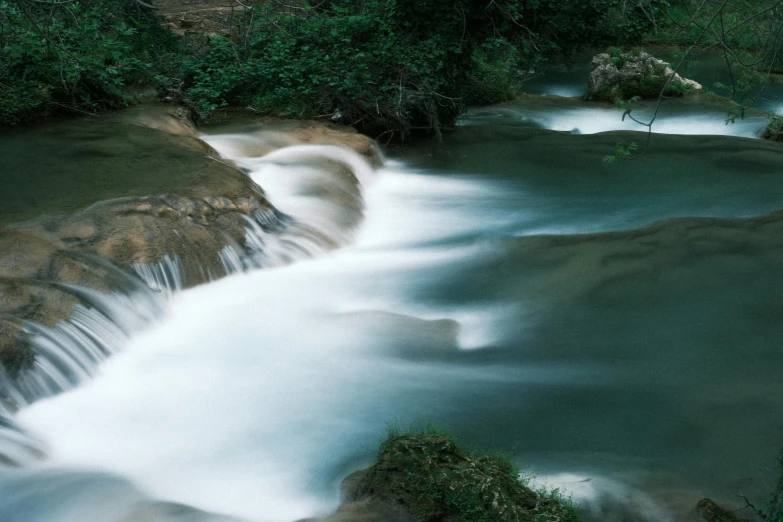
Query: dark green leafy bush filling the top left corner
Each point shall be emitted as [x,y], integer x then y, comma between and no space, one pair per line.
[74,56]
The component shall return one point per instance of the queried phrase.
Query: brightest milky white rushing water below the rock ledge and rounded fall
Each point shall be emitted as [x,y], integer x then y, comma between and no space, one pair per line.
[229,404]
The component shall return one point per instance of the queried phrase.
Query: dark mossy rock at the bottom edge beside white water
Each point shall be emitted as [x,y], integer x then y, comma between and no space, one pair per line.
[420,478]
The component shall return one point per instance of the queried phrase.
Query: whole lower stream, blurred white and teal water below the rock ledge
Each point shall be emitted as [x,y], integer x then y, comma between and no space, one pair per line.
[614,327]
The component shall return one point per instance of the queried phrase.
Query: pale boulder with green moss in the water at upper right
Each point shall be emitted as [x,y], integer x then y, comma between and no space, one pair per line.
[619,75]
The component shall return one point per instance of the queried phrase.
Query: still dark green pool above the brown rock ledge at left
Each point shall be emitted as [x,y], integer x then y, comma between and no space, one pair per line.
[65,166]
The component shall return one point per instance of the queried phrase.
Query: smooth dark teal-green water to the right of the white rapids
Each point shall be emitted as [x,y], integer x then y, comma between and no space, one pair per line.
[672,333]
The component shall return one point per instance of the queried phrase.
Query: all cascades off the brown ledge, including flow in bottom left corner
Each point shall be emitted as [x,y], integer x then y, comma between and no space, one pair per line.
[320,190]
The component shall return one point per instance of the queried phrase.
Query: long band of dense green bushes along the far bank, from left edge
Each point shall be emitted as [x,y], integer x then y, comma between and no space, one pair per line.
[387,66]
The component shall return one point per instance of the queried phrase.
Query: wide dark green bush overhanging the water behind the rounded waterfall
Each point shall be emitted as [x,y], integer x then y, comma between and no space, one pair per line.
[393,66]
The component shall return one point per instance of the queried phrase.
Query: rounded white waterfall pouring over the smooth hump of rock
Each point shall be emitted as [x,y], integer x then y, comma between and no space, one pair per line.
[317,192]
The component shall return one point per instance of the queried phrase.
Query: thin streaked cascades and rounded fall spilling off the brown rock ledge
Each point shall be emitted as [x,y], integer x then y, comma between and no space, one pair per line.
[71,351]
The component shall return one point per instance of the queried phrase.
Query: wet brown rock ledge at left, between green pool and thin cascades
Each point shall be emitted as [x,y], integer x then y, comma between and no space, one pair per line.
[36,256]
